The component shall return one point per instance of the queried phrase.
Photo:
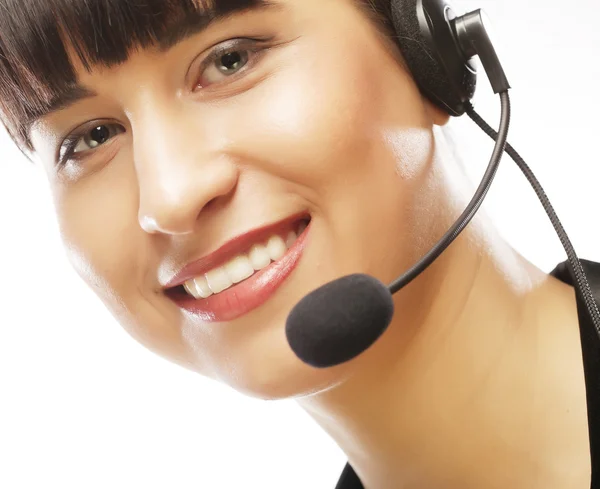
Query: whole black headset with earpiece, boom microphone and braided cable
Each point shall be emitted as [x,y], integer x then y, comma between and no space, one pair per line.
[343,318]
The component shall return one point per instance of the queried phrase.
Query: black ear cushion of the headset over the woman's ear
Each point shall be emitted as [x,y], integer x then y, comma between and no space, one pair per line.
[446,81]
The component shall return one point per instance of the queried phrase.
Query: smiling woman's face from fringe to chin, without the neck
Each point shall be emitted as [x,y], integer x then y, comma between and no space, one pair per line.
[174,155]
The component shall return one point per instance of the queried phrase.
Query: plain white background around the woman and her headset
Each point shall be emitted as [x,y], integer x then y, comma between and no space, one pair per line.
[83,405]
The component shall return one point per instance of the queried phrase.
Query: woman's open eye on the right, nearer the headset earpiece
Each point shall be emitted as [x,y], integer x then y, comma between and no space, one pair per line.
[225,61]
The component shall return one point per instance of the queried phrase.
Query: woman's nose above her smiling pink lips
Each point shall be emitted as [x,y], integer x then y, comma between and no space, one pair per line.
[179,174]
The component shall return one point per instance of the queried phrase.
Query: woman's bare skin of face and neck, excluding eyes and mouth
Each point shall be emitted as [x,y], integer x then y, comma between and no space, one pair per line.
[477,383]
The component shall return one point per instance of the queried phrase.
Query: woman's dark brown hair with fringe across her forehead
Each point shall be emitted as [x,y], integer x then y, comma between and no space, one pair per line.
[35,36]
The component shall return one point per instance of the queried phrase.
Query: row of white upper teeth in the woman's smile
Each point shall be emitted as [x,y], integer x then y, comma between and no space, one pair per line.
[242,266]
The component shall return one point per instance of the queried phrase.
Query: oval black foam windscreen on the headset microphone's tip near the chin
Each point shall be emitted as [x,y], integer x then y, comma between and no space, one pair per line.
[339,320]
